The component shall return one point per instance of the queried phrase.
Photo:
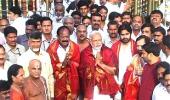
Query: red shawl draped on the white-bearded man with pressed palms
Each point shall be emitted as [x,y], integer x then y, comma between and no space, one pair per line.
[88,72]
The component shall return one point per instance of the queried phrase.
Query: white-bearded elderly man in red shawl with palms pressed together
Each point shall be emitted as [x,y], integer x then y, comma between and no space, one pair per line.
[97,68]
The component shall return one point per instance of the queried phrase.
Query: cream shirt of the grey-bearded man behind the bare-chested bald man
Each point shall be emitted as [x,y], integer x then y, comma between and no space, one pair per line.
[46,72]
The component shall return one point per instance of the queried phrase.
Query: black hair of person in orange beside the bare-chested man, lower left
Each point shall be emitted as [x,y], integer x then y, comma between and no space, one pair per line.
[13,71]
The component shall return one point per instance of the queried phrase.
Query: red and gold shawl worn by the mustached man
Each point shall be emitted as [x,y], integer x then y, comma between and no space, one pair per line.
[65,75]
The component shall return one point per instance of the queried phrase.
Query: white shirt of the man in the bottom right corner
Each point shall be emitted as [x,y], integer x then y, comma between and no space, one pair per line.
[160,93]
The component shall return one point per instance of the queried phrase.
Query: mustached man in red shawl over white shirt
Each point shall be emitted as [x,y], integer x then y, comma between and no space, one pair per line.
[65,57]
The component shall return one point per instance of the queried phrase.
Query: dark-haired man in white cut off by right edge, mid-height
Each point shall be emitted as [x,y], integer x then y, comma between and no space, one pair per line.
[166,46]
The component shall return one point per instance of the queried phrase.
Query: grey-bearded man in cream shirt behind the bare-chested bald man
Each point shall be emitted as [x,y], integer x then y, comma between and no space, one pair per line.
[34,52]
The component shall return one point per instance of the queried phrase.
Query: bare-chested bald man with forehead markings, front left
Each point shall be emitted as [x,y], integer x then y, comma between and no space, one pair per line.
[34,85]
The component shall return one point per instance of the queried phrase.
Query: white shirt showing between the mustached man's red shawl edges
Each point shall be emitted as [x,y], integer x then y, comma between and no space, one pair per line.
[61,52]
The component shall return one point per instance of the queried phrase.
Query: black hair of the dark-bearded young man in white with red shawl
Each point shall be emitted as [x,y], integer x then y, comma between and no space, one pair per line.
[125,26]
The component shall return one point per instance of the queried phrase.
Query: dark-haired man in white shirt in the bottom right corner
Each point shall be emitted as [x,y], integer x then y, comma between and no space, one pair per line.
[162,91]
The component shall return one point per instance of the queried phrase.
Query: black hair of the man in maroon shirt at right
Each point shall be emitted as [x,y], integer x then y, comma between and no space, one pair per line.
[152,48]
